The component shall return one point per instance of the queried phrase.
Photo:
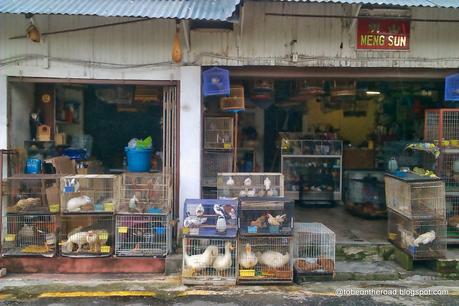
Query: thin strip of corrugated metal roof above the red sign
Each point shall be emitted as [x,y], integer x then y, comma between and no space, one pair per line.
[412,3]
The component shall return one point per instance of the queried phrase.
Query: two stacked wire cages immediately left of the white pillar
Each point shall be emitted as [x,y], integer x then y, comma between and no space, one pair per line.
[142,221]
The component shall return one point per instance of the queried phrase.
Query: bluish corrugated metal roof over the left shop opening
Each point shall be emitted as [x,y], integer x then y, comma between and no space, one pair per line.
[181,9]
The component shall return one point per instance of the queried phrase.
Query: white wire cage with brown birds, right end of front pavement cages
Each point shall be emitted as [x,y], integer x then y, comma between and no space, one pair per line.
[313,249]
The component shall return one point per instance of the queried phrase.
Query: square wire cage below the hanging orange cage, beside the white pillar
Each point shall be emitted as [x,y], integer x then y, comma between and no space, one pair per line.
[218,133]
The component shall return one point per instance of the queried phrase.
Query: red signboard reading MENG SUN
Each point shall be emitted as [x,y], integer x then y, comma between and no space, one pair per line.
[383,34]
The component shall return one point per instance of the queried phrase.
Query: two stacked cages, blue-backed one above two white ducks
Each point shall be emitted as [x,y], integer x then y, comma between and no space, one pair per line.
[209,242]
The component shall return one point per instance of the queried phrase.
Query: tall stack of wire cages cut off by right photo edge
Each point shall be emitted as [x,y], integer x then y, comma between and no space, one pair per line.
[442,127]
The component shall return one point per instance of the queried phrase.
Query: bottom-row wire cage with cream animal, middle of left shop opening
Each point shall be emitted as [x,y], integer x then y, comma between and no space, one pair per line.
[86,235]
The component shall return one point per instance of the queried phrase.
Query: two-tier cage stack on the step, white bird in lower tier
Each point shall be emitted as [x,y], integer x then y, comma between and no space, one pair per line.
[417,215]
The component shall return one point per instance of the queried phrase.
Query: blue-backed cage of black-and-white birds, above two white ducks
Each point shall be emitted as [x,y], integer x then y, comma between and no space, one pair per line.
[210,218]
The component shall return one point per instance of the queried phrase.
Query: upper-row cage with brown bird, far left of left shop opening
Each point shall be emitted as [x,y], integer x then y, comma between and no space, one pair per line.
[32,193]
